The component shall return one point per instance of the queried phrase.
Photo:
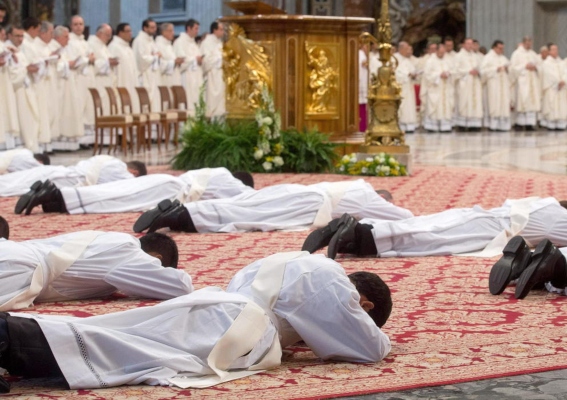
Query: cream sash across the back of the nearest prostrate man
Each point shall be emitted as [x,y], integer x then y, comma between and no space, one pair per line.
[247,329]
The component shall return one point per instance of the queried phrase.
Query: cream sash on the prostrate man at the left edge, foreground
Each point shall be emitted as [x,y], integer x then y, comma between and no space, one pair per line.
[58,261]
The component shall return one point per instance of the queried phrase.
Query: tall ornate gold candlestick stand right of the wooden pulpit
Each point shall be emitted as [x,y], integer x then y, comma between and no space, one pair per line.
[384,94]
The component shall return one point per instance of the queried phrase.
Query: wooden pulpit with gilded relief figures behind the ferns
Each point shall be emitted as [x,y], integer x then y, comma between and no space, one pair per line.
[310,64]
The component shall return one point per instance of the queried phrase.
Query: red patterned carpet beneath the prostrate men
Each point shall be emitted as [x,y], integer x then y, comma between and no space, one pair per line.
[445,326]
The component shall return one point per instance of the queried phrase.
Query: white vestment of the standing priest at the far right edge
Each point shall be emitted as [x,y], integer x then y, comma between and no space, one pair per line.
[554,102]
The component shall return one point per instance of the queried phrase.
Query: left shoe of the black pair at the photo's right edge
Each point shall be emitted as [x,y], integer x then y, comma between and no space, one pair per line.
[516,258]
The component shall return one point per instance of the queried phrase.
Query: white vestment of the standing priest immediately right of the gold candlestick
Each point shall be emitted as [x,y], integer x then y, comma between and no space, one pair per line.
[408,111]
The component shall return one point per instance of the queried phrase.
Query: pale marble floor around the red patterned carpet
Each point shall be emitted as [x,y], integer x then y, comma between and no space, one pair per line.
[539,151]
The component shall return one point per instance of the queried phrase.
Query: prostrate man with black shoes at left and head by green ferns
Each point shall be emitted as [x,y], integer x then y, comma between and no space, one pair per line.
[136,195]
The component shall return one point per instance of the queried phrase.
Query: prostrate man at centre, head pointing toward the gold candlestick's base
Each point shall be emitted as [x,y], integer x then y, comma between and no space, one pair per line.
[287,206]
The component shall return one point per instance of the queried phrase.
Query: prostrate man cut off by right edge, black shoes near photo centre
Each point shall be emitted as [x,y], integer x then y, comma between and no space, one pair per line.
[456,231]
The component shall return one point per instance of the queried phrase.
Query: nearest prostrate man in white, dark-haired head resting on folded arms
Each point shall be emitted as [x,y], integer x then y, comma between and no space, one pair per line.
[209,336]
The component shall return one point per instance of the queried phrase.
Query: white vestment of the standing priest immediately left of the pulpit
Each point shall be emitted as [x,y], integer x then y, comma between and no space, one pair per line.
[211,47]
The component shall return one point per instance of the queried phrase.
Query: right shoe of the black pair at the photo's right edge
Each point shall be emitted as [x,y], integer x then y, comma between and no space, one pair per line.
[542,268]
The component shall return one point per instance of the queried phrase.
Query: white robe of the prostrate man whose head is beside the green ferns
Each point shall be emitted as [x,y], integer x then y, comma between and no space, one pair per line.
[147,191]
